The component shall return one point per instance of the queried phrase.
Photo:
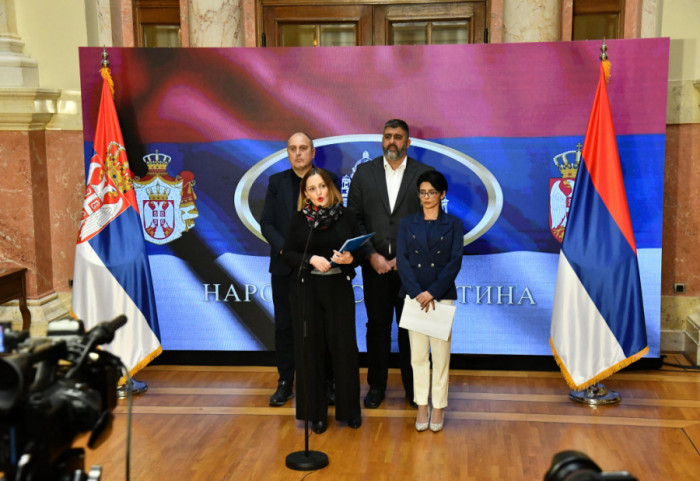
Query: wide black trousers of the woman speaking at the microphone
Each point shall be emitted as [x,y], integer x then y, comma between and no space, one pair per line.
[326,306]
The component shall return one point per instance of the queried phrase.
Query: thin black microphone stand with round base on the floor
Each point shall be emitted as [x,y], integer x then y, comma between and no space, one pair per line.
[305,460]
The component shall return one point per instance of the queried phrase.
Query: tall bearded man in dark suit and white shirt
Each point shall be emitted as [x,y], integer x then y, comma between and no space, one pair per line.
[383,191]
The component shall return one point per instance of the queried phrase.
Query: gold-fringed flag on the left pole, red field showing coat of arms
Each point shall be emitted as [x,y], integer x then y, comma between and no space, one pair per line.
[112,275]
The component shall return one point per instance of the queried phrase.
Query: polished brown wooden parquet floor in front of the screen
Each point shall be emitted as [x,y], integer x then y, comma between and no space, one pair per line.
[199,423]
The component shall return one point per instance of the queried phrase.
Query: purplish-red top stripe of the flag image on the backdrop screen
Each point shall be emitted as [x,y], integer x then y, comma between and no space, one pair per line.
[446,91]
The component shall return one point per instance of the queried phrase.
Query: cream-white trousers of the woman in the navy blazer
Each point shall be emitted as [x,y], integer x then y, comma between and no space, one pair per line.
[421,347]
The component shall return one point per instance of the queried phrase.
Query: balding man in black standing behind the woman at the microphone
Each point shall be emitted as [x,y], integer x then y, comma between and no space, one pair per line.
[280,203]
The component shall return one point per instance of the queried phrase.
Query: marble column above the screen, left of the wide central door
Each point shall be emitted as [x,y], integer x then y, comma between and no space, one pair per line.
[215,23]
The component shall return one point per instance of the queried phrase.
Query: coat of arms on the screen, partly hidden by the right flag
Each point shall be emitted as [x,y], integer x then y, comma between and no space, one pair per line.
[561,189]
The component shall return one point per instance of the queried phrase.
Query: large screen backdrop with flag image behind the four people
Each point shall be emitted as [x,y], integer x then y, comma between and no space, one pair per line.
[205,128]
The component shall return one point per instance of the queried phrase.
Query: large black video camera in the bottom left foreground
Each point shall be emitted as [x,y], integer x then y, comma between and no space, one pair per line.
[52,389]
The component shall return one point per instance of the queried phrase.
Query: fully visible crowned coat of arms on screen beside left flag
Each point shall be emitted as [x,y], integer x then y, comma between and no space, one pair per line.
[167,204]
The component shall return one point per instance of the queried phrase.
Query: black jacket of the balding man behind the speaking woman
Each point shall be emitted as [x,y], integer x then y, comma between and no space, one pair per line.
[280,204]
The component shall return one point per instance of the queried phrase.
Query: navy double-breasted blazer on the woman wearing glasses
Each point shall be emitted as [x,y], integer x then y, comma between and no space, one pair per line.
[429,259]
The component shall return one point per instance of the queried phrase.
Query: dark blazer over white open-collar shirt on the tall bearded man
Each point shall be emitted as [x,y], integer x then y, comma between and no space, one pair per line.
[369,199]
